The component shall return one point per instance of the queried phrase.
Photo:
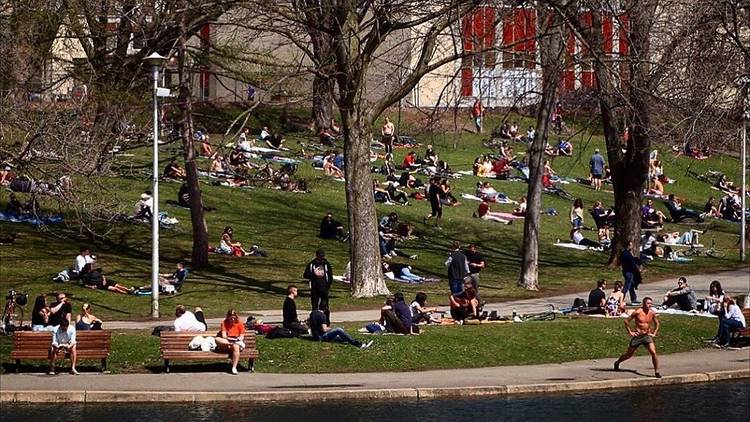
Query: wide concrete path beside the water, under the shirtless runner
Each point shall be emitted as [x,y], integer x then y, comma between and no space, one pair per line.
[697,366]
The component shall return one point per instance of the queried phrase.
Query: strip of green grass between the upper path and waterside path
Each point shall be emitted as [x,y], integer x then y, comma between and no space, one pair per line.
[441,347]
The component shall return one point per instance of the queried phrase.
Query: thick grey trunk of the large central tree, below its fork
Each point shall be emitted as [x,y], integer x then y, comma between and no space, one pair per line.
[364,250]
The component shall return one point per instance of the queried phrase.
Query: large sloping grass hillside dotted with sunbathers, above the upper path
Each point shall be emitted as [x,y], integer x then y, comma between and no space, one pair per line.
[286,224]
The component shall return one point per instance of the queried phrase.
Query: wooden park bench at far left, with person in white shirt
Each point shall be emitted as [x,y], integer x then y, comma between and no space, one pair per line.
[35,345]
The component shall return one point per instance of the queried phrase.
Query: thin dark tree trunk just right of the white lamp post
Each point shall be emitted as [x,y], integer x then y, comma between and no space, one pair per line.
[199,256]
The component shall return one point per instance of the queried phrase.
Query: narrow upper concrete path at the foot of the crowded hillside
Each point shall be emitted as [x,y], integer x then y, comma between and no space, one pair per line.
[735,282]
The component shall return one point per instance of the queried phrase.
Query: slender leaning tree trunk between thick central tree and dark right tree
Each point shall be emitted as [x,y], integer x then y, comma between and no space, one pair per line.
[551,45]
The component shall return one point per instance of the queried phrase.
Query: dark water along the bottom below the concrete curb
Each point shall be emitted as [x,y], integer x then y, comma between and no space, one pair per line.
[725,401]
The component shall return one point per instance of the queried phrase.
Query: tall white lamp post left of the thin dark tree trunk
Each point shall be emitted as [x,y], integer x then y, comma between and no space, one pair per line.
[155,60]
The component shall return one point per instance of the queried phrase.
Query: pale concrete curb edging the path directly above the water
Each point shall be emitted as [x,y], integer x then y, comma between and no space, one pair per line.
[40,397]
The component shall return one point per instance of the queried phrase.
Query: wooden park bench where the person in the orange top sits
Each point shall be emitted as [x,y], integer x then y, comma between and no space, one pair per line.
[174,346]
